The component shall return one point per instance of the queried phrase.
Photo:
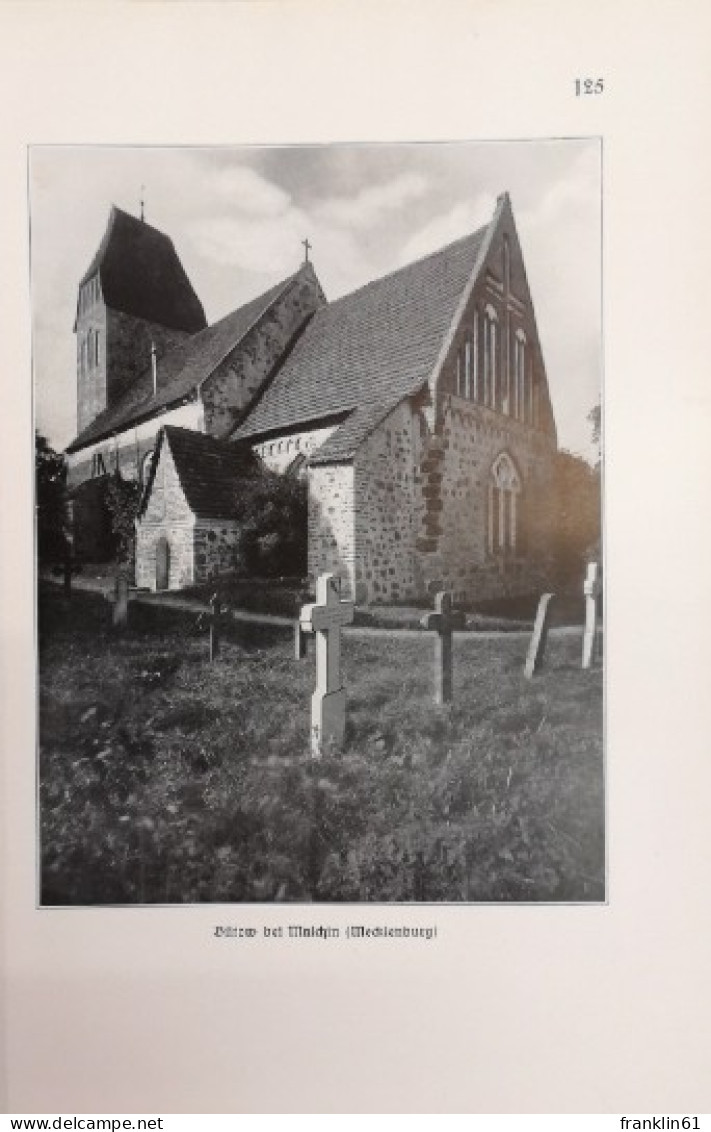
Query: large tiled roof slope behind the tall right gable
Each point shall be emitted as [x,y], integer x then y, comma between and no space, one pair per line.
[371,348]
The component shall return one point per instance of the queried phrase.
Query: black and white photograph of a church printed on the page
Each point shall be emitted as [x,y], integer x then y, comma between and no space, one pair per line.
[320,556]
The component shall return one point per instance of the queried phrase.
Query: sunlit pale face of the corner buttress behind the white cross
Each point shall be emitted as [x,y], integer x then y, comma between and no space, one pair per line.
[332,530]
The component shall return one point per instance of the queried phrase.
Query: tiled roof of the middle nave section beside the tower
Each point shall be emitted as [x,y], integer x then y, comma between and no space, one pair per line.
[181,372]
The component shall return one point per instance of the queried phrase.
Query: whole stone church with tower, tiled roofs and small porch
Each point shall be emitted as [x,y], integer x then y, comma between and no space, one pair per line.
[417,409]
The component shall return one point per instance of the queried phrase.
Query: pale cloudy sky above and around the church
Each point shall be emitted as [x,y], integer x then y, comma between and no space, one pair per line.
[238,216]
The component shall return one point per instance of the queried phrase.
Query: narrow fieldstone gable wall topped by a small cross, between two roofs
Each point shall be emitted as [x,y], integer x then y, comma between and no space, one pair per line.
[233,387]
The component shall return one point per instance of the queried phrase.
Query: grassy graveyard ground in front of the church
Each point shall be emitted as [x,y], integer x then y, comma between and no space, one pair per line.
[165,779]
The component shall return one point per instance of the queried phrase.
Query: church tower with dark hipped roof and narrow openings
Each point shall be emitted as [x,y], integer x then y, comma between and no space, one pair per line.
[134,298]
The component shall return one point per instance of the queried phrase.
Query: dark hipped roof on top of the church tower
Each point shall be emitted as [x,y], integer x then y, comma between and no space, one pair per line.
[142,276]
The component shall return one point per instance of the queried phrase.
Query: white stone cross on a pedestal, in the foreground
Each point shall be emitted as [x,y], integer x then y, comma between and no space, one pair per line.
[327,618]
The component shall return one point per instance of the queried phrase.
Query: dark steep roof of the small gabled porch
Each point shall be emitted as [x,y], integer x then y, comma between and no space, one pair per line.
[213,475]
